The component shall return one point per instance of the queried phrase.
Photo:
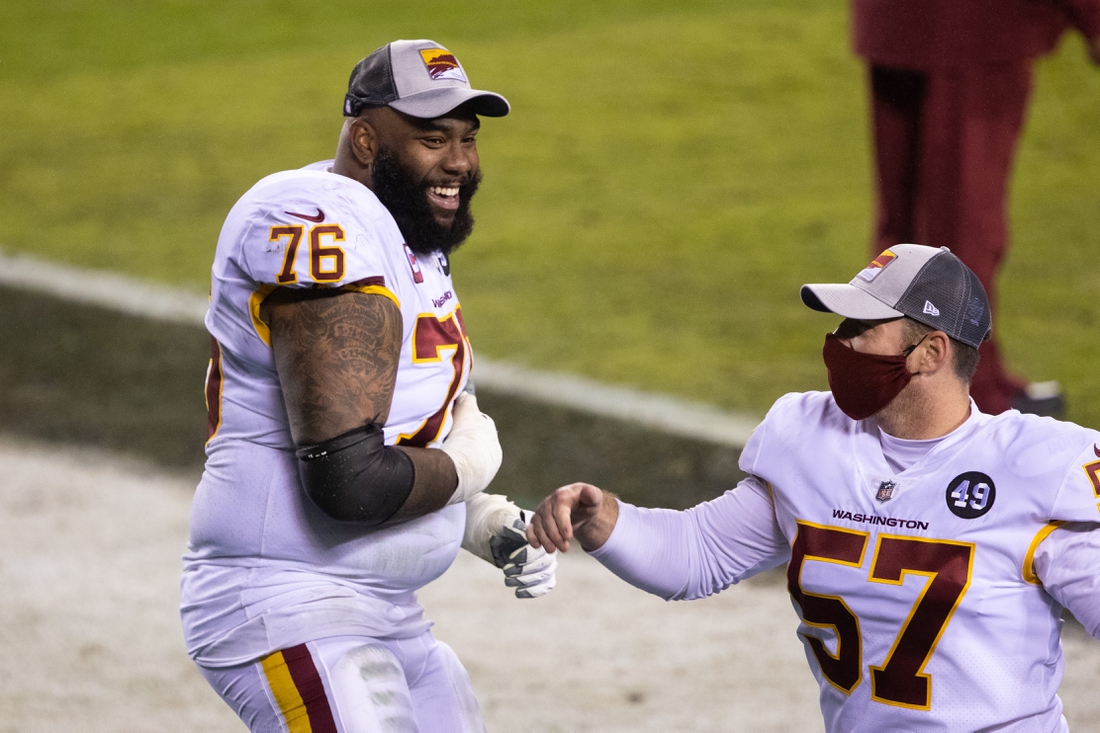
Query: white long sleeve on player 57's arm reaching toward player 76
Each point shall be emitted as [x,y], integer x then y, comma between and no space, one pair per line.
[700,552]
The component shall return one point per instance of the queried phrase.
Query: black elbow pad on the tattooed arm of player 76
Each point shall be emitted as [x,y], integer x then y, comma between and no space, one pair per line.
[356,477]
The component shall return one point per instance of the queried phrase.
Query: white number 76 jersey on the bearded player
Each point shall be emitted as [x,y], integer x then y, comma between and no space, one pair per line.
[266,570]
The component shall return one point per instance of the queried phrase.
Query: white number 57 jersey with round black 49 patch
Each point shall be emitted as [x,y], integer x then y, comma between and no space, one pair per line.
[919,604]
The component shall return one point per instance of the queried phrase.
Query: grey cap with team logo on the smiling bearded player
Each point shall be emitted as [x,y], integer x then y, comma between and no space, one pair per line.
[421,79]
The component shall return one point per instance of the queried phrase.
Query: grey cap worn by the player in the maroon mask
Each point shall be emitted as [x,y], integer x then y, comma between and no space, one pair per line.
[928,285]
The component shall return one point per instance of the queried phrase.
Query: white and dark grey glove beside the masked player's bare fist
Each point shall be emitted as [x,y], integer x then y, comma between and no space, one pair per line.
[496,534]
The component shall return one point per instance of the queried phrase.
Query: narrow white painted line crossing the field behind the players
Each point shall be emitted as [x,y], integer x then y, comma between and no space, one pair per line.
[661,412]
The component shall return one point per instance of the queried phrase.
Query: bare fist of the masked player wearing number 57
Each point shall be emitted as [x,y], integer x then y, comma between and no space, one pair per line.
[567,511]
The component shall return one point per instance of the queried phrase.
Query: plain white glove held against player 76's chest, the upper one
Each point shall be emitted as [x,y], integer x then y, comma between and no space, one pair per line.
[474,447]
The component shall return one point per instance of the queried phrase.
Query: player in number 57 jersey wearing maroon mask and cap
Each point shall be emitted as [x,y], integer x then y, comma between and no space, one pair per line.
[930,549]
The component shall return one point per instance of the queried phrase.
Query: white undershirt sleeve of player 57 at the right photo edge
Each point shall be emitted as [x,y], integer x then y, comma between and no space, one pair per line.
[1069,565]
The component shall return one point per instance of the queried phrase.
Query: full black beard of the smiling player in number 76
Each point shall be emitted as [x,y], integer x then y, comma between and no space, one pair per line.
[408,202]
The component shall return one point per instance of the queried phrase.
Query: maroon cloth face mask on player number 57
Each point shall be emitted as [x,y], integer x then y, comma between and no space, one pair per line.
[863,384]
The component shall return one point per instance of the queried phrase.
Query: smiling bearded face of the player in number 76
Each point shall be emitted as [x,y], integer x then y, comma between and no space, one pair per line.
[426,172]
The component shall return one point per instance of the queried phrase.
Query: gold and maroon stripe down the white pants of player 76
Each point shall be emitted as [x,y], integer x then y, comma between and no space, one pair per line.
[299,691]
